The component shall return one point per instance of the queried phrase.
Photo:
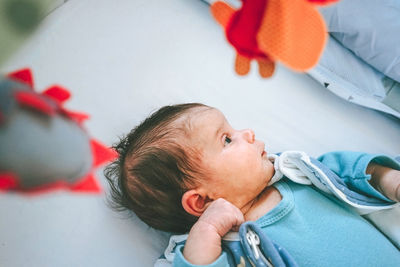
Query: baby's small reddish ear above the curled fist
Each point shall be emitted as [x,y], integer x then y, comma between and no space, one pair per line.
[194,202]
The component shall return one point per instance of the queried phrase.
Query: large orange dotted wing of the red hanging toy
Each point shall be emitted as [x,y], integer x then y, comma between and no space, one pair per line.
[292,32]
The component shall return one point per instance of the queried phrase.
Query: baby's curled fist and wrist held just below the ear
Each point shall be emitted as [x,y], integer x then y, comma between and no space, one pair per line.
[203,245]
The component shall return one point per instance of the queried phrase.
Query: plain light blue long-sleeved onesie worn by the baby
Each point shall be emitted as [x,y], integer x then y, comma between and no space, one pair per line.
[319,230]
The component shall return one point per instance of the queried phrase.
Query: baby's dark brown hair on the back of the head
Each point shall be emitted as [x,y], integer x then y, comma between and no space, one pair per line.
[156,165]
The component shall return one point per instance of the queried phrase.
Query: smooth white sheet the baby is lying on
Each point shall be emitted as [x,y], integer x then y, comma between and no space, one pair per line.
[122,60]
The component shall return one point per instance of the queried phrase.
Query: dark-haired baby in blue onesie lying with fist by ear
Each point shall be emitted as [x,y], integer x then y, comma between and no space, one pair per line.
[185,169]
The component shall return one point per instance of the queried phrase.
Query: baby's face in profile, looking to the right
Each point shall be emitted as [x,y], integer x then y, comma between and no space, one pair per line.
[236,163]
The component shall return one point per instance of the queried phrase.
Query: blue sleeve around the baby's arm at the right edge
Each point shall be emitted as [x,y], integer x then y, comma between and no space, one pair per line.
[352,166]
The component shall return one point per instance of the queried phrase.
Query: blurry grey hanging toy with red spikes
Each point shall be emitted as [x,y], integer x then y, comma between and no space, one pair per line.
[44,146]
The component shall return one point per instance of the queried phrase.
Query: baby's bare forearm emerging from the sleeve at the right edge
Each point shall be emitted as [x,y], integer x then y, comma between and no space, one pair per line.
[386,180]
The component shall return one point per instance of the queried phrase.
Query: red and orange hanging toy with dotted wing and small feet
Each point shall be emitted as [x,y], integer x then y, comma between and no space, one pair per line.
[291,31]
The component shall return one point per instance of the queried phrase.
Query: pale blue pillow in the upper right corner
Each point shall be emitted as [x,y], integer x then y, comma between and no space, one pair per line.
[370,29]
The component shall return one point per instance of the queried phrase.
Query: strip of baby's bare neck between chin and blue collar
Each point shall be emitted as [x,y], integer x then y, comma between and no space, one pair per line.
[262,204]
